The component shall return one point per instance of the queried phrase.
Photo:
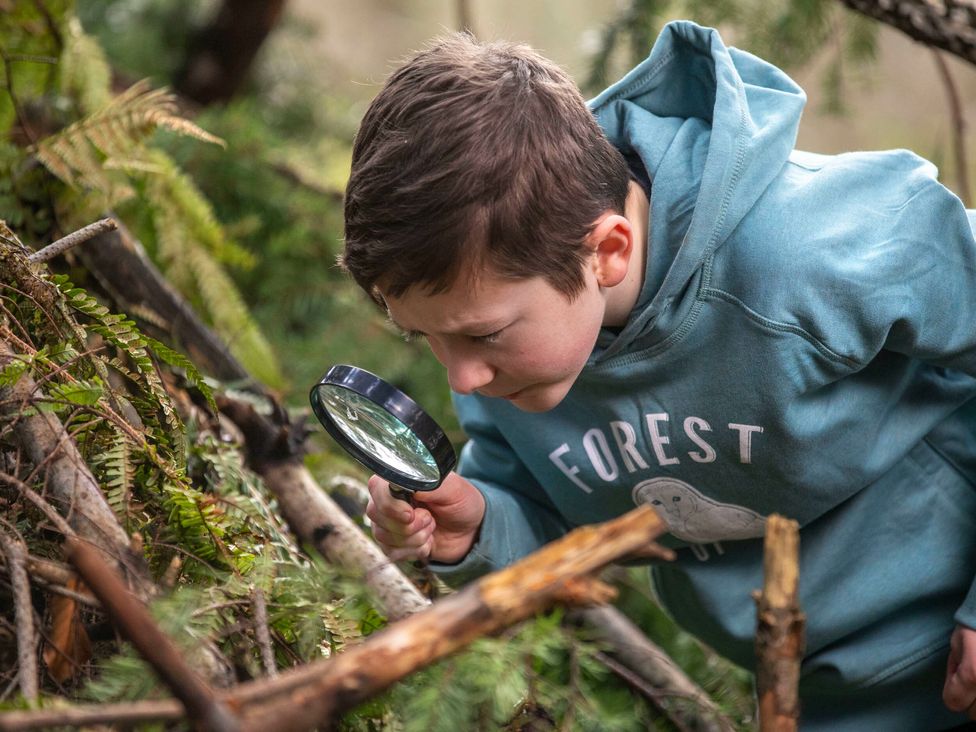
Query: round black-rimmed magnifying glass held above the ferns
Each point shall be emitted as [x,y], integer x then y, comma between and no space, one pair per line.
[383,429]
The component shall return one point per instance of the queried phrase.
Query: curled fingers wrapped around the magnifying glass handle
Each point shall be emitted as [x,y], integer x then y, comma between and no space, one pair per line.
[401,530]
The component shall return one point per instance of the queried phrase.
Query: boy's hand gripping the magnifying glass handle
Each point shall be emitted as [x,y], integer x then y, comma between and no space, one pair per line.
[442,526]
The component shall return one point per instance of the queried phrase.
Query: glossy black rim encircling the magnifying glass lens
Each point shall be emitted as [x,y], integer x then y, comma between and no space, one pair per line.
[372,387]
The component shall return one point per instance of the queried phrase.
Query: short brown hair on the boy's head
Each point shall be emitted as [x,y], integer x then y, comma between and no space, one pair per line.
[477,154]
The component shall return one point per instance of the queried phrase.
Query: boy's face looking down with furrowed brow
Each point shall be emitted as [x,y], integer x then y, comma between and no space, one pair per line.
[520,340]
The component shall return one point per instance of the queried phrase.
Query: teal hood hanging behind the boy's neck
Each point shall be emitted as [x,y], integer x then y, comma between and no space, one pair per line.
[712,126]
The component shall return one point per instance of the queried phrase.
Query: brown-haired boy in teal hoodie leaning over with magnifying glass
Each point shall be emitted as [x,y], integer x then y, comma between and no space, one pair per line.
[655,299]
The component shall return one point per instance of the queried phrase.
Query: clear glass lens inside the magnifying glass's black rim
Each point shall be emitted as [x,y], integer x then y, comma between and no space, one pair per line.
[379,433]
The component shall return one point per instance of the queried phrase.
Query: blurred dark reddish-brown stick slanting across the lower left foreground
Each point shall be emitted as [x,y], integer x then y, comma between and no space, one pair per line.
[136,624]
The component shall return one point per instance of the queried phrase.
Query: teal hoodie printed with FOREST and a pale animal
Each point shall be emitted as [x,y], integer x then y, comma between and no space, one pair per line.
[804,344]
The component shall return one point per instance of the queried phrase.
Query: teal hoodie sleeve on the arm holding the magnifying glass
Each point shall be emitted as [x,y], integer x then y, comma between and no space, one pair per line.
[519,517]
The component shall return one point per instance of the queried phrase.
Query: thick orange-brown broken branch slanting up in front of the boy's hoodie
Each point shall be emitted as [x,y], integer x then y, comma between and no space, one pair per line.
[559,572]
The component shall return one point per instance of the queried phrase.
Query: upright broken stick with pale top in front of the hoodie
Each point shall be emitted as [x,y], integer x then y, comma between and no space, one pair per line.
[780,630]
